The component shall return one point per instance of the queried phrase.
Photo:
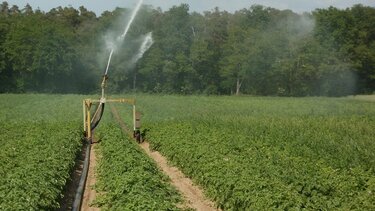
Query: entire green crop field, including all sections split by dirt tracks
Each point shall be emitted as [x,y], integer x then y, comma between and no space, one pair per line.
[245,152]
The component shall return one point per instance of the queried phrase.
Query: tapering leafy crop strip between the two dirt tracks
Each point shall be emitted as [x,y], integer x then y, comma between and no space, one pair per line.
[127,178]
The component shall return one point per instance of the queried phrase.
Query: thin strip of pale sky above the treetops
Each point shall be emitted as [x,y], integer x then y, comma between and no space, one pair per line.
[98,6]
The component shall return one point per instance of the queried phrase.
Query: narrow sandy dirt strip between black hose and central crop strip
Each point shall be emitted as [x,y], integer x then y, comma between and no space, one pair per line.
[90,193]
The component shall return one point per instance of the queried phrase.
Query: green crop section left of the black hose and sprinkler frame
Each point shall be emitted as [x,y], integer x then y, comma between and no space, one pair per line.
[39,139]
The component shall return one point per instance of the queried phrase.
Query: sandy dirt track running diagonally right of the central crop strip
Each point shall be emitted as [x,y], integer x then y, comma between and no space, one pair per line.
[193,195]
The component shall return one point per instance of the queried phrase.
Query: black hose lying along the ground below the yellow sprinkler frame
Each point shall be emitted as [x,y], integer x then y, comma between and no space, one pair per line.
[82,182]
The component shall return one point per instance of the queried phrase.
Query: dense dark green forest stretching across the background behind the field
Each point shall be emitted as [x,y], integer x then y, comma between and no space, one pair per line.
[258,51]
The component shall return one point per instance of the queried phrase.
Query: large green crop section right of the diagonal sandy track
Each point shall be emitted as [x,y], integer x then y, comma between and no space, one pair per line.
[264,153]
